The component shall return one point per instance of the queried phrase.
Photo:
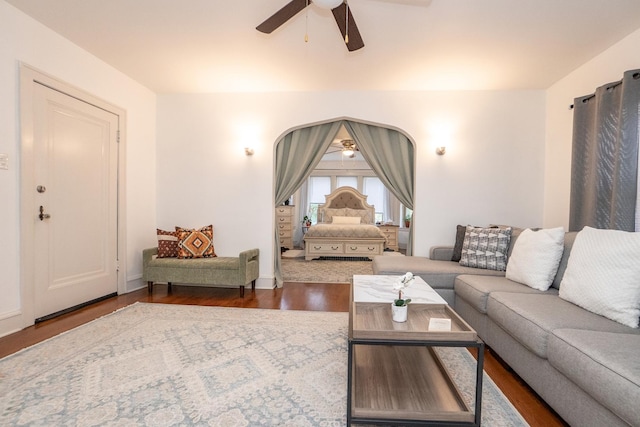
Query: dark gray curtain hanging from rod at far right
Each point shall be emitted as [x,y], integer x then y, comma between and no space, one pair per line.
[604,160]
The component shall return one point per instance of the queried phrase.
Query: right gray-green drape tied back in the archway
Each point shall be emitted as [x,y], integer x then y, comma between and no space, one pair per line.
[391,156]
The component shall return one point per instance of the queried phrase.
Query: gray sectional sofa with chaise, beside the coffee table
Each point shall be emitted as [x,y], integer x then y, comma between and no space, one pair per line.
[585,366]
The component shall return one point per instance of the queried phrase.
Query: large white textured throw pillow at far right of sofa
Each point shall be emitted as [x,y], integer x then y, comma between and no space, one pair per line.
[603,274]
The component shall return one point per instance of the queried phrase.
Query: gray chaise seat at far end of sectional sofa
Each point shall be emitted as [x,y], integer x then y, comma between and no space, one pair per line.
[438,274]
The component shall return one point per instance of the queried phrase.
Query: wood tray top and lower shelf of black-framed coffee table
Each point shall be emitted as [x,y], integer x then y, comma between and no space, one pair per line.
[394,375]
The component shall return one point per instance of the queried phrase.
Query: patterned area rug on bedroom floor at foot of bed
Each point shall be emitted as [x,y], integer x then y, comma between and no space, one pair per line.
[322,271]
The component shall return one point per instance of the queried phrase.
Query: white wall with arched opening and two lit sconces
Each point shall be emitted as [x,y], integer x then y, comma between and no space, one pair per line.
[492,172]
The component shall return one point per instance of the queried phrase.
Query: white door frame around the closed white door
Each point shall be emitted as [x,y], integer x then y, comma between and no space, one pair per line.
[30,76]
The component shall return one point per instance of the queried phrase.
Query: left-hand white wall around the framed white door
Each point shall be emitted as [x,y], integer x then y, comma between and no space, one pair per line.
[24,40]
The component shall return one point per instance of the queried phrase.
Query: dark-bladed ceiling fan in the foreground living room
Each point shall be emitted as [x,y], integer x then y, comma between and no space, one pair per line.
[341,13]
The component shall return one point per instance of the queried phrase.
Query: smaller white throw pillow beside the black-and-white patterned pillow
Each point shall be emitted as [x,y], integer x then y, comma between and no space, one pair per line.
[535,257]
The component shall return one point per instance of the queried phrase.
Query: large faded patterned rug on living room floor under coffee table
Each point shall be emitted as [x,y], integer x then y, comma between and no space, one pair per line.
[173,365]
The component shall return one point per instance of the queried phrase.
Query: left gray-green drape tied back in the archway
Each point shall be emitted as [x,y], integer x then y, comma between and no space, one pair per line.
[297,154]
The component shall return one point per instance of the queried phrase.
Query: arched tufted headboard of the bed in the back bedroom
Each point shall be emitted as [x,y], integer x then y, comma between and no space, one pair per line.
[346,201]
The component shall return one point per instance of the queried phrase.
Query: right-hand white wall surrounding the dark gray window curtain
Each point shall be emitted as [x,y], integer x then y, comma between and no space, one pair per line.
[606,67]
